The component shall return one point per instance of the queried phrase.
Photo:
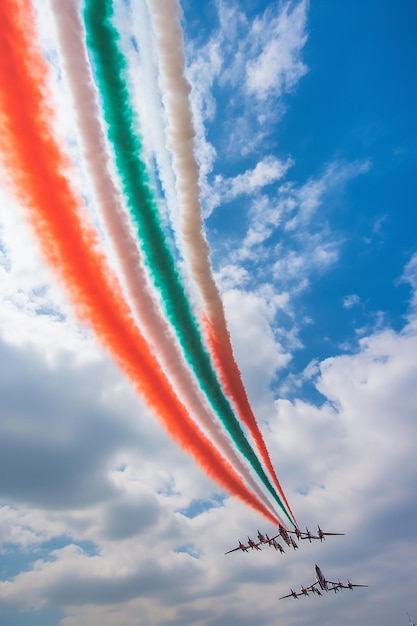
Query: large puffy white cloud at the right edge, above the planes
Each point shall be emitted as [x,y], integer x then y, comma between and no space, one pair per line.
[363,434]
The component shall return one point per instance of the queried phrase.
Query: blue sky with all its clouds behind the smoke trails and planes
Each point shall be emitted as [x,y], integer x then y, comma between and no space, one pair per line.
[306,142]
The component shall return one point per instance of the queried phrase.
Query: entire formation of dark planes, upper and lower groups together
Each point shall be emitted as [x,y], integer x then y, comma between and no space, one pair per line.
[321,583]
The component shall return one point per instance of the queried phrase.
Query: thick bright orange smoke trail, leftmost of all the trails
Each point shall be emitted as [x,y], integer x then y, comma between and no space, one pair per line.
[36,165]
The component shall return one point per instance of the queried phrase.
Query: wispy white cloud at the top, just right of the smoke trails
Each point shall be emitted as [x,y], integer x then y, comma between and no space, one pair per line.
[235,57]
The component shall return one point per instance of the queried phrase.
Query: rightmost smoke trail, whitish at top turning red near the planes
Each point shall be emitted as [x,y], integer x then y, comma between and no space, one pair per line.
[180,139]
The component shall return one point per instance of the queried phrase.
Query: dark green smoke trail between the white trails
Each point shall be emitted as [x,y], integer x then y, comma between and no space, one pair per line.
[102,39]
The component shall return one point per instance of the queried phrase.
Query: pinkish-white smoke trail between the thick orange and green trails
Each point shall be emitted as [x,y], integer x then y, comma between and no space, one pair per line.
[71,42]
